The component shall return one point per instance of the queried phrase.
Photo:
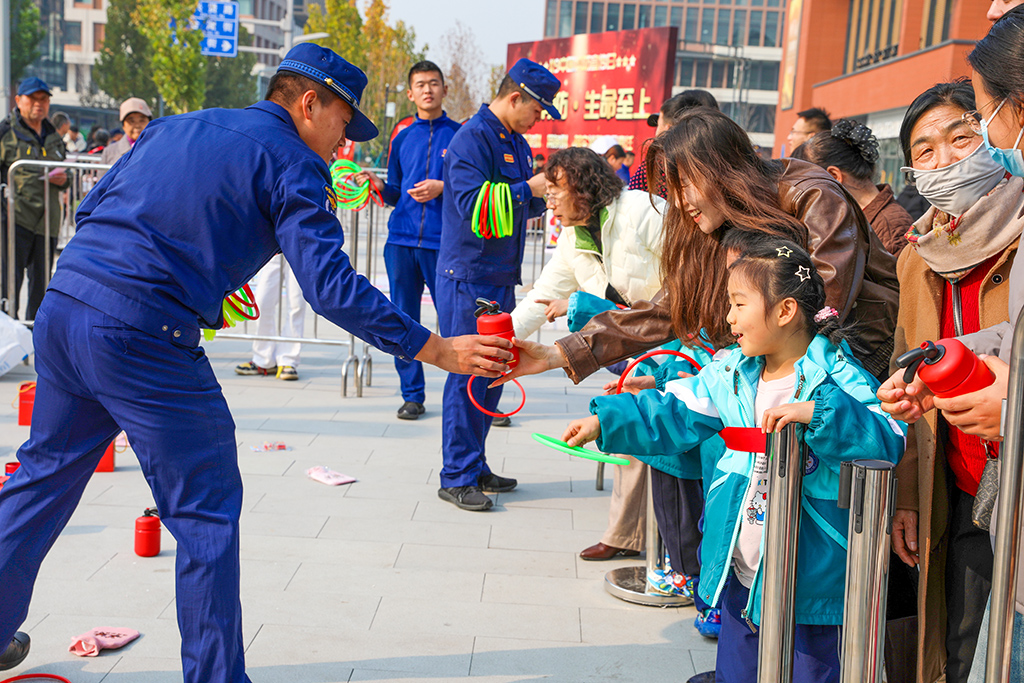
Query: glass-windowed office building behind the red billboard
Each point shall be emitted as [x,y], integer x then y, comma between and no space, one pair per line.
[732,49]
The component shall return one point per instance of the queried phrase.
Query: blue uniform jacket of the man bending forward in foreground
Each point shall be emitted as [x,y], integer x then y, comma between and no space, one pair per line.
[195,210]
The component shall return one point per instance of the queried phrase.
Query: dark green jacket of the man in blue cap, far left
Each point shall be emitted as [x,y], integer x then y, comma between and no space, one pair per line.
[20,142]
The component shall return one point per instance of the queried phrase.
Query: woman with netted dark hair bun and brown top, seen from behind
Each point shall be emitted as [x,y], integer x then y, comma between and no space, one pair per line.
[849,152]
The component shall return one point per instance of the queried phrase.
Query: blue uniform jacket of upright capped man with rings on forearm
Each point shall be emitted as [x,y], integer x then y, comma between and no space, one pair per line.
[485,150]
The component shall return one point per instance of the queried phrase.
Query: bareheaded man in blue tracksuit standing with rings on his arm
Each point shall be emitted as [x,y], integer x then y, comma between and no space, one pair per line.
[414,231]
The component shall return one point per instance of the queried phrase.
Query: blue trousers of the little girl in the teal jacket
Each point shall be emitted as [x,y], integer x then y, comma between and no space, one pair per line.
[817,654]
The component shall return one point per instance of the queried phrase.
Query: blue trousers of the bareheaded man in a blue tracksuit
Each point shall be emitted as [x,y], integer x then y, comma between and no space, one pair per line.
[409,269]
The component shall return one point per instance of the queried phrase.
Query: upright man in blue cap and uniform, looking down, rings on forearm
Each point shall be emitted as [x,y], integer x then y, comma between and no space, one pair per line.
[489,148]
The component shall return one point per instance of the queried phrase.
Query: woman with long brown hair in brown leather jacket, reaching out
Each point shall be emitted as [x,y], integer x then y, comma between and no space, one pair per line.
[718,185]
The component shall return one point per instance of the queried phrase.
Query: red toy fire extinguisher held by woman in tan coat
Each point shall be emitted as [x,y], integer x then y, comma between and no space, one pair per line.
[948,368]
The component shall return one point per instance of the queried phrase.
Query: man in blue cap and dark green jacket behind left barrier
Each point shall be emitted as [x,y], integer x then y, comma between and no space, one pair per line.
[27,134]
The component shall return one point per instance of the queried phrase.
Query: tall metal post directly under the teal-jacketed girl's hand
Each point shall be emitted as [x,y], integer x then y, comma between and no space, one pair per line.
[787,456]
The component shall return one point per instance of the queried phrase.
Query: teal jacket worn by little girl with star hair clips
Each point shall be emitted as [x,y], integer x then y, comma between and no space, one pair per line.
[662,430]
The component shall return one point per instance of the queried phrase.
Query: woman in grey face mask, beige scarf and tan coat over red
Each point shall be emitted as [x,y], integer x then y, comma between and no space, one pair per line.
[955,280]
